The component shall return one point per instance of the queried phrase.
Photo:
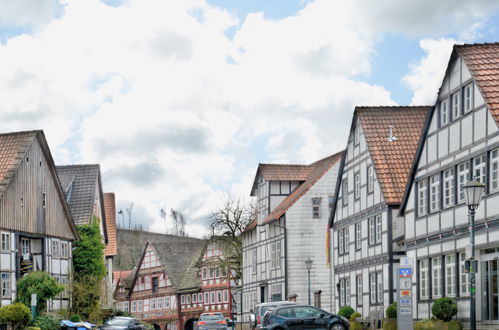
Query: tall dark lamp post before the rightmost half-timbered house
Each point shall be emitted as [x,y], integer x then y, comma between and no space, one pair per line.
[473,191]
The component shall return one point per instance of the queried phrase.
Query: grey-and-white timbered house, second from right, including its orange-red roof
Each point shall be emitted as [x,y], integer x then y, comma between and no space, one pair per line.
[365,224]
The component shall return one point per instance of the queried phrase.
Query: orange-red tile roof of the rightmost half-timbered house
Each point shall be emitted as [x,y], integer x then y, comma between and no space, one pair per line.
[483,62]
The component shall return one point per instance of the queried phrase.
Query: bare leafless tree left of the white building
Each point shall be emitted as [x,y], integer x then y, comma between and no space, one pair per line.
[227,224]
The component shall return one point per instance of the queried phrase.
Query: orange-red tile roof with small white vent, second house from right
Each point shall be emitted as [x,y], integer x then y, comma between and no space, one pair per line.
[392,160]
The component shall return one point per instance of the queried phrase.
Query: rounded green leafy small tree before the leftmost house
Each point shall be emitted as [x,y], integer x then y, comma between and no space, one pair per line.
[41,283]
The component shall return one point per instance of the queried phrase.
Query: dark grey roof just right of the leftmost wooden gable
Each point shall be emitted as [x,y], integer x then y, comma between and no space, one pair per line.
[79,183]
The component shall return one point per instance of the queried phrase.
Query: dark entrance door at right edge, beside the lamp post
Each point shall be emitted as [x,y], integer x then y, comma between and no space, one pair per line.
[490,282]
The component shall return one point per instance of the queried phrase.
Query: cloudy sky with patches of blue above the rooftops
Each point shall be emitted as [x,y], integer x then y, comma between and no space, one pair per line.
[179,100]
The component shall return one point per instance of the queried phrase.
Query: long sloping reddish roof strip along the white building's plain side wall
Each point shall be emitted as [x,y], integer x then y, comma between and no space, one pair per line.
[317,170]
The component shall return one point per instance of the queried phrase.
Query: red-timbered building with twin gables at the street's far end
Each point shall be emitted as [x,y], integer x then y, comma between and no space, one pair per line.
[175,281]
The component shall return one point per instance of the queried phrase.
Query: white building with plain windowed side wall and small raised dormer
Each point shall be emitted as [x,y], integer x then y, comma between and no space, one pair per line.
[293,206]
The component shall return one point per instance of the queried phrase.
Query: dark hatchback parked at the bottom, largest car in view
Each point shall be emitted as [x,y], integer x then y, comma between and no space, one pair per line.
[301,317]
